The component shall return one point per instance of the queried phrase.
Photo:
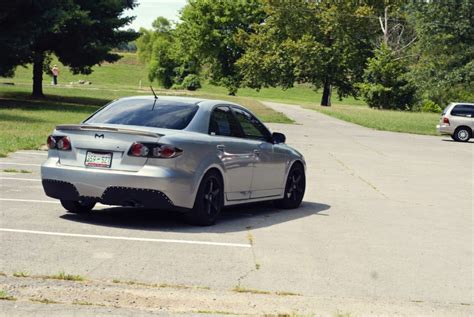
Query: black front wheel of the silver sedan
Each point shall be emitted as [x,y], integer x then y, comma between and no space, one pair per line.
[294,189]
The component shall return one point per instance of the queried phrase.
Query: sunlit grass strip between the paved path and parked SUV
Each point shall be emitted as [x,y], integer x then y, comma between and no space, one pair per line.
[387,120]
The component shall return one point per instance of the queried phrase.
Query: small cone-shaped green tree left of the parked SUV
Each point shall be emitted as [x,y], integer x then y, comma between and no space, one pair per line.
[385,85]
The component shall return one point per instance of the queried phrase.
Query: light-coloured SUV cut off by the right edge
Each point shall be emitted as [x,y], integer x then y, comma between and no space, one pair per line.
[457,120]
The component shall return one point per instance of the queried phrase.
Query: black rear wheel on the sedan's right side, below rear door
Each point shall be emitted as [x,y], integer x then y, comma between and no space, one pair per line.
[209,201]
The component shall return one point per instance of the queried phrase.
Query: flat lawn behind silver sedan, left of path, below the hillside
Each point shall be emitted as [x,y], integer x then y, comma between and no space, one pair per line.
[25,123]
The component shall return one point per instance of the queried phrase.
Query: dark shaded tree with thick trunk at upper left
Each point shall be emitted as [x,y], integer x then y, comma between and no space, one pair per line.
[81,33]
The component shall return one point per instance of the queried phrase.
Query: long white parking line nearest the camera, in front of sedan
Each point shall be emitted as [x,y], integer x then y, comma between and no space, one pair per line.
[222,244]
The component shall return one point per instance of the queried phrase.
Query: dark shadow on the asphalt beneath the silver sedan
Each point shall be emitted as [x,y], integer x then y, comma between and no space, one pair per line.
[232,219]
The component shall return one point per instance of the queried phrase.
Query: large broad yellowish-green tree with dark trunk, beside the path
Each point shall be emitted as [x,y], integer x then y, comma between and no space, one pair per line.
[324,43]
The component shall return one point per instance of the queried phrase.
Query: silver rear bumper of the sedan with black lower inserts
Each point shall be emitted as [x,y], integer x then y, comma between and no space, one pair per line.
[151,187]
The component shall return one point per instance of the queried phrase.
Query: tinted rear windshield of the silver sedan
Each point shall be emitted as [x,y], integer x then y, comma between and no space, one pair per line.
[145,112]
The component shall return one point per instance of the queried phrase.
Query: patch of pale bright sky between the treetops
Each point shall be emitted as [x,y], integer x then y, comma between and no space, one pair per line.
[148,10]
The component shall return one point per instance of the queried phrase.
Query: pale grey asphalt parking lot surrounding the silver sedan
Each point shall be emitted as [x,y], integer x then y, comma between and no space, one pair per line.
[386,227]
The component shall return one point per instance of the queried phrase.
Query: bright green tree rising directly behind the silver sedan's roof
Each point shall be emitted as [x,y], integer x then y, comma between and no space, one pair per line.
[210,31]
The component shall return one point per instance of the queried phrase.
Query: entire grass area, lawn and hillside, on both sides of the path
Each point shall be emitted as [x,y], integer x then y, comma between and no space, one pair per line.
[25,123]
